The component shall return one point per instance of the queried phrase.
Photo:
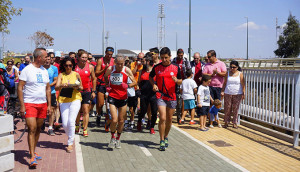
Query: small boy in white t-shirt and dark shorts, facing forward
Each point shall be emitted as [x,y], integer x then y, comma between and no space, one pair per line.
[203,100]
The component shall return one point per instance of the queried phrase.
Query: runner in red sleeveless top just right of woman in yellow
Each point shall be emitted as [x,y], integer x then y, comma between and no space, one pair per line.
[86,72]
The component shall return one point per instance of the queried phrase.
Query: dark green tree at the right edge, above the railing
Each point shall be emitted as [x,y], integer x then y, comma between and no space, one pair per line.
[289,41]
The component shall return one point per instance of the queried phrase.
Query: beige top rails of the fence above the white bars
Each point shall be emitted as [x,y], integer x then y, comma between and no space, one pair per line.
[279,63]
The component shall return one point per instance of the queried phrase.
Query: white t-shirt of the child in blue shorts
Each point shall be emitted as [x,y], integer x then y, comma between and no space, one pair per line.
[188,86]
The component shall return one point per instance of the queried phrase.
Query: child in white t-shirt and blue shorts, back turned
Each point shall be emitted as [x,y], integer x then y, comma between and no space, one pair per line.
[188,89]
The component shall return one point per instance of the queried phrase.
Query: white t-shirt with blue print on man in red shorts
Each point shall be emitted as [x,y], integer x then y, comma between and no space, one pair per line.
[36,81]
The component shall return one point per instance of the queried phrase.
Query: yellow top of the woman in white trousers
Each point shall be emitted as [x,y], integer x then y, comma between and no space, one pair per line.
[70,79]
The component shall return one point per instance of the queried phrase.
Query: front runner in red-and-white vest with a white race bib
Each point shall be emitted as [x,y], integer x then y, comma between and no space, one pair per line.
[117,97]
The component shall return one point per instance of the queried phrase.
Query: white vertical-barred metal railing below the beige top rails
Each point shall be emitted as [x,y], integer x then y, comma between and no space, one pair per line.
[273,97]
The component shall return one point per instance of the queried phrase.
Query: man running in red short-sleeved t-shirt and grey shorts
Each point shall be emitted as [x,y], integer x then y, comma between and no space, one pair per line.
[167,76]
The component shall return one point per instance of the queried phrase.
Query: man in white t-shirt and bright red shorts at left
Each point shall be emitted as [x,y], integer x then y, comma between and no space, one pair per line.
[34,92]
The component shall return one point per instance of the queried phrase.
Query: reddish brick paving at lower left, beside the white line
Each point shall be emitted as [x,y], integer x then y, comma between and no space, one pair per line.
[52,150]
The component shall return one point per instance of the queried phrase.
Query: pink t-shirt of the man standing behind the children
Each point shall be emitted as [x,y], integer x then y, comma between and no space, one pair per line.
[216,81]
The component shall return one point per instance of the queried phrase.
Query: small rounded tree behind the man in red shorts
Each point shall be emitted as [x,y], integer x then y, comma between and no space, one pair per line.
[42,39]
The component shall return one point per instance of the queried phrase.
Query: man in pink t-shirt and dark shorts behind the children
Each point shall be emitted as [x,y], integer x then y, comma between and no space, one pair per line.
[217,70]
